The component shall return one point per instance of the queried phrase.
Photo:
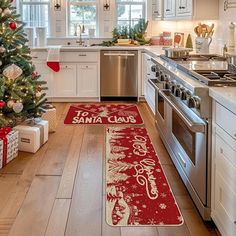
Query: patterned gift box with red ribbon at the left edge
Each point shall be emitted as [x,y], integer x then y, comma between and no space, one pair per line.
[8,146]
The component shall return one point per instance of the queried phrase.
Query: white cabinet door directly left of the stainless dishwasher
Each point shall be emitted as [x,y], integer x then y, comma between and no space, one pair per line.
[87,80]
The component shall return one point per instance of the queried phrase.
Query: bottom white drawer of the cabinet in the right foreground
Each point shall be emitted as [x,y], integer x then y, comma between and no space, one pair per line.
[225,205]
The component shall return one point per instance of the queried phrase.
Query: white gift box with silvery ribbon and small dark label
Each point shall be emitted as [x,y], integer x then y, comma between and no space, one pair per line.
[32,135]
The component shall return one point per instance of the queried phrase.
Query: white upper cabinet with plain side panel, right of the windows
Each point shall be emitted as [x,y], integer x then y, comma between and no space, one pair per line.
[185,9]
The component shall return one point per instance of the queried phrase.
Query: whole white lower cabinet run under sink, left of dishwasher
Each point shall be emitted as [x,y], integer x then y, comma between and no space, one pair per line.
[78,78]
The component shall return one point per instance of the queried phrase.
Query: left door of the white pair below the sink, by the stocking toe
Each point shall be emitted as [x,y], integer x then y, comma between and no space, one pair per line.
[64,81]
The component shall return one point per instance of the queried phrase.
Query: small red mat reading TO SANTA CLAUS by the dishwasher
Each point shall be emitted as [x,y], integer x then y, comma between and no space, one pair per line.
[103,114]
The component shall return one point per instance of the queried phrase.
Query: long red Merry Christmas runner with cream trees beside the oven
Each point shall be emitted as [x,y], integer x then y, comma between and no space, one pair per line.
[137,192]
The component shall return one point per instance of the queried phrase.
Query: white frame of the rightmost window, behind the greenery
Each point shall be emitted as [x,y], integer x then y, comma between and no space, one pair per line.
[130,2]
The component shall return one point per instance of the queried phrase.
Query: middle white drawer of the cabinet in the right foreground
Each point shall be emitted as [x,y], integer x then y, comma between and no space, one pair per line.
[226,158]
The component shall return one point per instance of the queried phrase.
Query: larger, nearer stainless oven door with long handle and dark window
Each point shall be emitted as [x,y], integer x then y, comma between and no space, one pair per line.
[188,141]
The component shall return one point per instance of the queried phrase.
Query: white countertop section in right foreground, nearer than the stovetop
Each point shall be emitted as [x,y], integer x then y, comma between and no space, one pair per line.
[225,96]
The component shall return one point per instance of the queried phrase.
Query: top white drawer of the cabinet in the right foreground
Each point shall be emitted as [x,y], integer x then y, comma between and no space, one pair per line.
[226,119]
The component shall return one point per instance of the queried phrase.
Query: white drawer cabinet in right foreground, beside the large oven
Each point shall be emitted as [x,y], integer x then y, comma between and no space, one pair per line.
[224,170]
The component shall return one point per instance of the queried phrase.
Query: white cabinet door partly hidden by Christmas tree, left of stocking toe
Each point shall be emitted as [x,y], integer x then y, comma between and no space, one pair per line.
[45,75]
